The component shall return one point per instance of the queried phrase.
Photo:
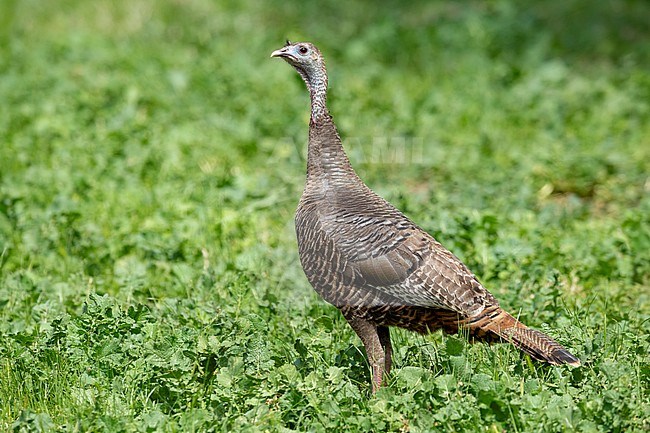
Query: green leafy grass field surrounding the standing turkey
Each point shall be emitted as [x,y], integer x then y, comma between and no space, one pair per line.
[152,156]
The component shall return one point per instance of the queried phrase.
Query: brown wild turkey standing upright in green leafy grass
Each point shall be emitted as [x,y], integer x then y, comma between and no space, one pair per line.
[380,269]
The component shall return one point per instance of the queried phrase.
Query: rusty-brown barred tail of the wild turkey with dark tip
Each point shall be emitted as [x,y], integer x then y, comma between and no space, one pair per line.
[494,320]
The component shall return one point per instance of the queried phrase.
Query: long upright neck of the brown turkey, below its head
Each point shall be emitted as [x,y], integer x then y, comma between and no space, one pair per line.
[327,164]
